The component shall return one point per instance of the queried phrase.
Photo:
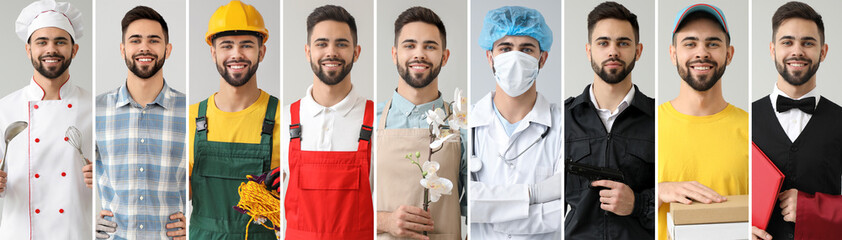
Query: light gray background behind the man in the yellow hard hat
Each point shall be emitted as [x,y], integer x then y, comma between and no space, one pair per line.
[204,79]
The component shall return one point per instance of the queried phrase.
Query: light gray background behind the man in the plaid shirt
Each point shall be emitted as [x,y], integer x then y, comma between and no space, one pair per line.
[111,69]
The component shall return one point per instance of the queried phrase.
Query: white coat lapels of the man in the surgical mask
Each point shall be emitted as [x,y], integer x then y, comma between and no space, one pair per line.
[482,114]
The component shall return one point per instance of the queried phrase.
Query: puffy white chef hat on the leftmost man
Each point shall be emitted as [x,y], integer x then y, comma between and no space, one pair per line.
[49,13]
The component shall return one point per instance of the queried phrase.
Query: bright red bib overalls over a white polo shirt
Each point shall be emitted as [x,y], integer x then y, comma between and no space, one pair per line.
[329,195]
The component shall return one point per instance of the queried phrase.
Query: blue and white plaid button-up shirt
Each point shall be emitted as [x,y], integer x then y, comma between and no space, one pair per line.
[140,163]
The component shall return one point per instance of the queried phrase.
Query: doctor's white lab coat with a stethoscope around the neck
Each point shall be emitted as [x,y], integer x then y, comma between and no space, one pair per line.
[498,193]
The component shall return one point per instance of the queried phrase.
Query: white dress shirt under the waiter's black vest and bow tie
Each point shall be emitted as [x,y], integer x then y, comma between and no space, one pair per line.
[794,120]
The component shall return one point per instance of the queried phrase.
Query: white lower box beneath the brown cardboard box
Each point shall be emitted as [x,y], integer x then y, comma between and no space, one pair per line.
[725,231]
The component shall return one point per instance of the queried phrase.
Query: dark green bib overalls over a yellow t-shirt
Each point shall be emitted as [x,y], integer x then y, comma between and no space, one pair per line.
[219,168]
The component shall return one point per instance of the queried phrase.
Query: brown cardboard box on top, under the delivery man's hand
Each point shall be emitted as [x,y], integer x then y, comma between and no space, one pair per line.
[733,210]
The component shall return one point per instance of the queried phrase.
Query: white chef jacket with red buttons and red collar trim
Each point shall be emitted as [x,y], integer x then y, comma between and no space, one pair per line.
[46,197]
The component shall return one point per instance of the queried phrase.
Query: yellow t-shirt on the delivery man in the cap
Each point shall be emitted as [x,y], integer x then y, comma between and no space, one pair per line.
[712,150]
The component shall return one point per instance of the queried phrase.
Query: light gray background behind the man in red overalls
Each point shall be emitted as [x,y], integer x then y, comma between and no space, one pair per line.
[297,72]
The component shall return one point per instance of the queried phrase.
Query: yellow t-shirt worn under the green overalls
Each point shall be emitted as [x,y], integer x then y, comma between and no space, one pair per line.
[243,126]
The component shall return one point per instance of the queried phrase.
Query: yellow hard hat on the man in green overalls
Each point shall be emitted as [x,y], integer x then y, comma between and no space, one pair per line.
[236,16]
